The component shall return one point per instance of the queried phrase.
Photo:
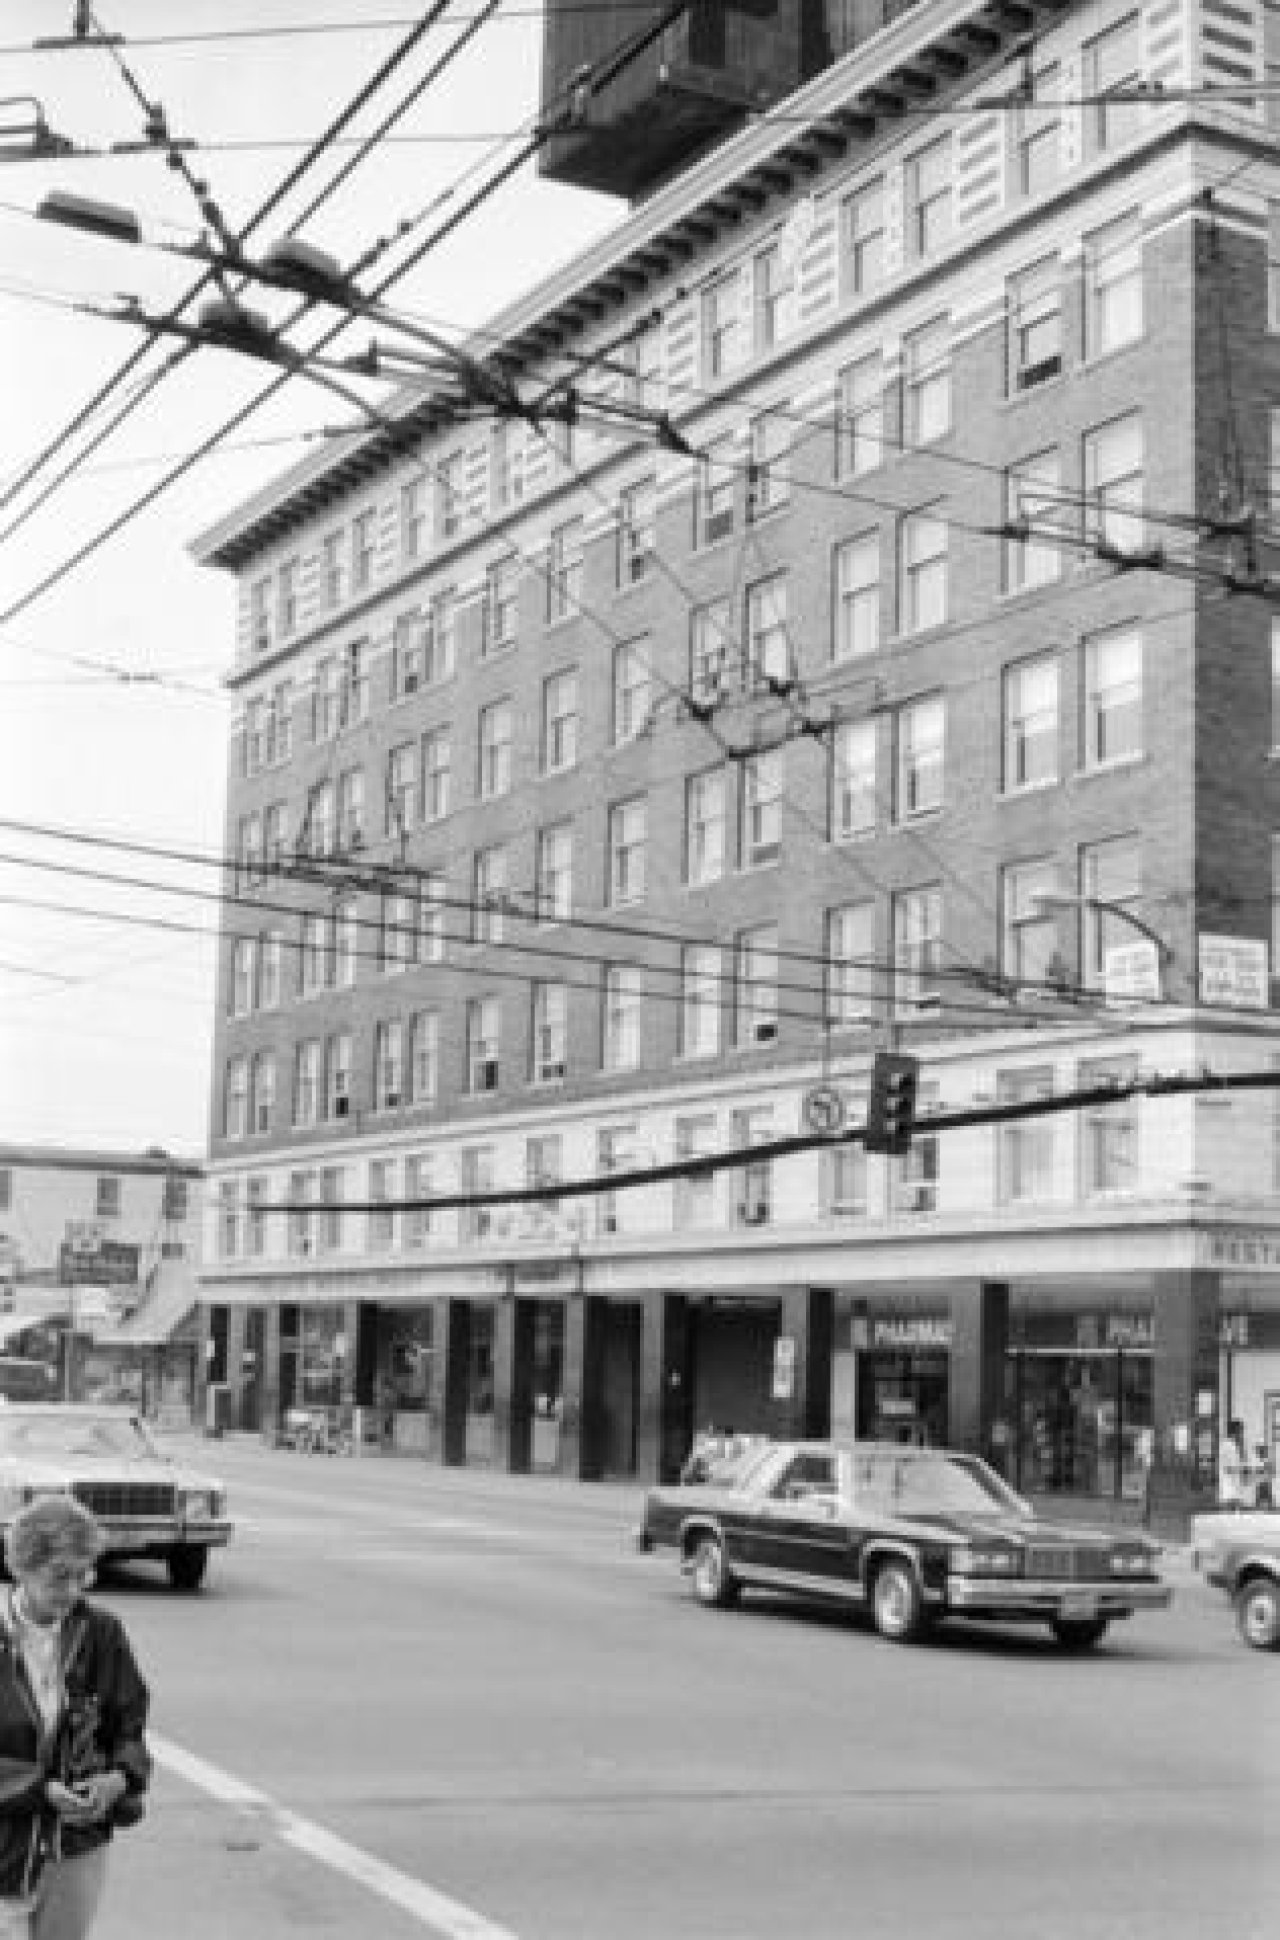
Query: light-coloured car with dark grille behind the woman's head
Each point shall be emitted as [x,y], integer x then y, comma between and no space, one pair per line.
[148,1506]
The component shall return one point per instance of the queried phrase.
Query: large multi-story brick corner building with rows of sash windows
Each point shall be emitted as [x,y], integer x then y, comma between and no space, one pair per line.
[594,798]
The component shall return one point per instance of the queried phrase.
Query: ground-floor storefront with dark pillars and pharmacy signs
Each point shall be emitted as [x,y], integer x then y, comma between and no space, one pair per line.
[1104,1388]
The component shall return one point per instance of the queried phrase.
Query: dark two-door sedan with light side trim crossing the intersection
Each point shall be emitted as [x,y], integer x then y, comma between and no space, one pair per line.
[911,1536]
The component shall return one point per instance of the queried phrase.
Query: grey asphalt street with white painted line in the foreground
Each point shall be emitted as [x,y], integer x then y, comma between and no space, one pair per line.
[461,1706]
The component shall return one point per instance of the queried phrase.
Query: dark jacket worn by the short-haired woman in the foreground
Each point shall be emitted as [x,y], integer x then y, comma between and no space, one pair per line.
[104,1730]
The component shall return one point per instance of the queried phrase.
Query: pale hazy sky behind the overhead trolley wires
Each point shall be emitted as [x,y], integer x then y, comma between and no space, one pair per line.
[113,717]
